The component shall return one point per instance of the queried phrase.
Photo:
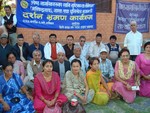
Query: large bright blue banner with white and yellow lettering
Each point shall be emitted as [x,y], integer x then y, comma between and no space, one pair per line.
[47,14]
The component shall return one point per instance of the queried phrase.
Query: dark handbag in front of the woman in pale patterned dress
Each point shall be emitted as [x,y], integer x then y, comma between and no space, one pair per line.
[68,108]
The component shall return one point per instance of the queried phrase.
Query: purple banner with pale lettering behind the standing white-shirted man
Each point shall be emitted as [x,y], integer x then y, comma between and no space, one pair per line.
[128,11]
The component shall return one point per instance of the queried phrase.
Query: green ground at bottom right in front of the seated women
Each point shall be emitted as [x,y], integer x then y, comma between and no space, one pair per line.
[141,105]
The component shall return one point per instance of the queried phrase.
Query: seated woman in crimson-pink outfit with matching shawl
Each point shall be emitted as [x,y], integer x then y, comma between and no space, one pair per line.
[47,88]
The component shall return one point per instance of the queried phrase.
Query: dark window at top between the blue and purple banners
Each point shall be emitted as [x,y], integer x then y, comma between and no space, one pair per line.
[103,6]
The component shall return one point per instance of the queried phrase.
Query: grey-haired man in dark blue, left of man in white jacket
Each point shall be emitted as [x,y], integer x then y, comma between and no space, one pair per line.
[36,45]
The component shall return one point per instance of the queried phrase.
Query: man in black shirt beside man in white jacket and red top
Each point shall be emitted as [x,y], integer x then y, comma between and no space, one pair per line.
[69,46]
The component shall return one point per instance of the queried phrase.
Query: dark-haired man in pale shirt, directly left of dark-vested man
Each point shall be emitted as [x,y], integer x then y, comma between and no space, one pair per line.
[96,46]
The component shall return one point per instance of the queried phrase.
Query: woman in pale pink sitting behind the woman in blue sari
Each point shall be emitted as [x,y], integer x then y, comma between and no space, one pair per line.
[18,65]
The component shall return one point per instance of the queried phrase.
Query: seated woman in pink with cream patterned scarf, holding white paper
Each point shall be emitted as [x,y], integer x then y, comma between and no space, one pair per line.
[126,76]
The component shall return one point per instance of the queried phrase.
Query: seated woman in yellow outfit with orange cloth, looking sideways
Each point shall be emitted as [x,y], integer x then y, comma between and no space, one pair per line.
[95,81]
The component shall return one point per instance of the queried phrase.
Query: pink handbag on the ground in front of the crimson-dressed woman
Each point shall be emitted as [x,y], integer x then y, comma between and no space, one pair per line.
[55,109]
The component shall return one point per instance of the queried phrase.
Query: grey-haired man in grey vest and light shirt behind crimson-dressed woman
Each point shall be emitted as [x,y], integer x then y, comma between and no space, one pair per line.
[33,67]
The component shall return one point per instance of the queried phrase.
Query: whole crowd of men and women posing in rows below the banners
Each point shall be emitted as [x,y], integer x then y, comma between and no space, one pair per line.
[35,76]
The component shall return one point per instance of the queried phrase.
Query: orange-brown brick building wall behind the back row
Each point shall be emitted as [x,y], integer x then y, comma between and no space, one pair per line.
[105,23]
